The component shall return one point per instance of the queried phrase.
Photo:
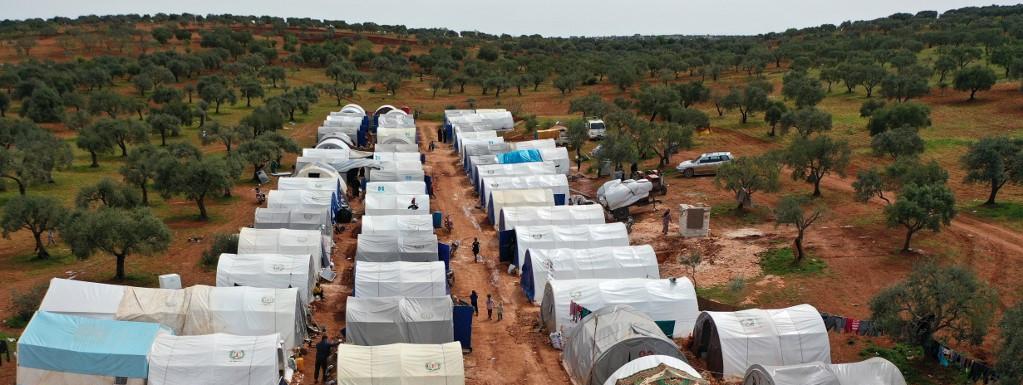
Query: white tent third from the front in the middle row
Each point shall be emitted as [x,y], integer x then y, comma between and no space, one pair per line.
[401,279]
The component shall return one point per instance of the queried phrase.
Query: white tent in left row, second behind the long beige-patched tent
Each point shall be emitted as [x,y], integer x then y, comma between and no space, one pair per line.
[283,241]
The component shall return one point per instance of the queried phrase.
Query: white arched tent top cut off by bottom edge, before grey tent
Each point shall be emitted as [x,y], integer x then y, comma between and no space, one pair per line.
[656,369]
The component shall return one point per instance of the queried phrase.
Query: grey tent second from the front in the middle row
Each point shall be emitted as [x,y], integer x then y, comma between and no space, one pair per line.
[383,321]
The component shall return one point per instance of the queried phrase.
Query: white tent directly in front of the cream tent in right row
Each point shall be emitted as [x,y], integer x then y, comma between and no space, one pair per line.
[552,216]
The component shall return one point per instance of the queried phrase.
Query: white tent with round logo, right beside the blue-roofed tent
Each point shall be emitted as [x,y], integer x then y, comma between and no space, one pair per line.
[216,359]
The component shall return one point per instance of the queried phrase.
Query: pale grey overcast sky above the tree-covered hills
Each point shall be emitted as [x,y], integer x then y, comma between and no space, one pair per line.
[549,18]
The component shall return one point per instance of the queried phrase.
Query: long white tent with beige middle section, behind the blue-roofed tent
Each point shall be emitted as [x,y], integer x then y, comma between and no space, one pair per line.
[196,311]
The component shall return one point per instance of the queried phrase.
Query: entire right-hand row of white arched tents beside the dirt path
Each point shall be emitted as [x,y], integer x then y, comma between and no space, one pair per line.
[606,298]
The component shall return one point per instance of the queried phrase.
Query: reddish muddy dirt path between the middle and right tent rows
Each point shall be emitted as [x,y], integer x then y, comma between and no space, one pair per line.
[511,352]
